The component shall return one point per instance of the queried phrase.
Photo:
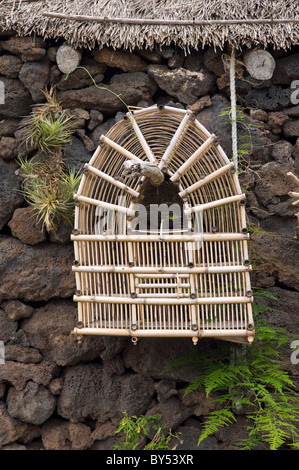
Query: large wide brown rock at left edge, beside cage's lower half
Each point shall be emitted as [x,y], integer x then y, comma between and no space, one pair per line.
[35,273]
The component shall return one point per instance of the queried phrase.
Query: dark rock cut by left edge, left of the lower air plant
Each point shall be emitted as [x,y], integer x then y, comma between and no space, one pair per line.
[10,197]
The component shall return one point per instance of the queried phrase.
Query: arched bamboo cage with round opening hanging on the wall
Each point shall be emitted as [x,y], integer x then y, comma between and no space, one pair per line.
[165,256]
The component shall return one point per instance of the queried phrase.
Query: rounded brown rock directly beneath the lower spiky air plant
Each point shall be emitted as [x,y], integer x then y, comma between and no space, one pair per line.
[26,228]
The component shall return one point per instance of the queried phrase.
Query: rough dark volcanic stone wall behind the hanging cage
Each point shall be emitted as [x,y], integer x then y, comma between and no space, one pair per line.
[54,393]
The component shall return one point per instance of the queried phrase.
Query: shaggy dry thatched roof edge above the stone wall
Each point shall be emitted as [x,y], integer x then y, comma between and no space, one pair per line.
[177,22]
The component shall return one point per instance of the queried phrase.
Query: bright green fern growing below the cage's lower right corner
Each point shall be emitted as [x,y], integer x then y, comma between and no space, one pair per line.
[253,376]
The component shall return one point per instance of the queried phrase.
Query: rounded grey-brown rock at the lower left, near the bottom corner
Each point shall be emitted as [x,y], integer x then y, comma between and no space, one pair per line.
[35,404]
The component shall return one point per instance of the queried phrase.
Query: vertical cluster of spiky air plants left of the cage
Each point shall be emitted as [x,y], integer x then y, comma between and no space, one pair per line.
[47,185]
